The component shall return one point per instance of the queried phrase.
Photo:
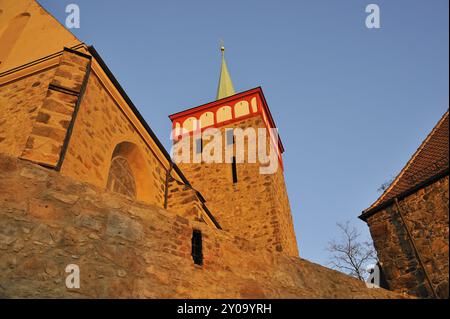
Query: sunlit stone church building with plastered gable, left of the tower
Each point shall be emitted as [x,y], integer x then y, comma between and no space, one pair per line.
[62,108]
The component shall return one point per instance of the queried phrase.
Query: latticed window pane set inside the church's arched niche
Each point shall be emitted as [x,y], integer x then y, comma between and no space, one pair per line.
[121,179]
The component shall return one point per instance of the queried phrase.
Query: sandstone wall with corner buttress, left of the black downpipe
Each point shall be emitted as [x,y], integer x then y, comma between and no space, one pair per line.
[37,109]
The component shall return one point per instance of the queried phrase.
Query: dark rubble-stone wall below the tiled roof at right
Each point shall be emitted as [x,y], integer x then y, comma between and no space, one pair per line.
[426,215]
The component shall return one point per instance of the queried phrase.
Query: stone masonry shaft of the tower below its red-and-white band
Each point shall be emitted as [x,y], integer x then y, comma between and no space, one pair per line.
[256,207]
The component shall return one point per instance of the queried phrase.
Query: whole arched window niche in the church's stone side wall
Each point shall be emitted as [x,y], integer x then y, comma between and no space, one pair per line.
[129,173]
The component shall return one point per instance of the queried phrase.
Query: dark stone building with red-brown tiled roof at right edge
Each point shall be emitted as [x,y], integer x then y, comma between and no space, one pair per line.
[409,222]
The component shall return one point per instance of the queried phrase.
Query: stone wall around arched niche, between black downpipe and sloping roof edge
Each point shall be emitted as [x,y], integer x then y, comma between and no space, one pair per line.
[100,126]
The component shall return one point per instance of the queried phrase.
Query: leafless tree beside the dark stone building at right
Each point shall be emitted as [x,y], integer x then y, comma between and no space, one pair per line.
[350,254]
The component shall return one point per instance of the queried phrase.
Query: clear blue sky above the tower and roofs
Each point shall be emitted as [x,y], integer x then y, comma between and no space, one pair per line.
[351,104]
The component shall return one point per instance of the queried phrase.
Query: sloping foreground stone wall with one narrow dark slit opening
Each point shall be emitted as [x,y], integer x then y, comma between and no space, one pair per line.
[130,249]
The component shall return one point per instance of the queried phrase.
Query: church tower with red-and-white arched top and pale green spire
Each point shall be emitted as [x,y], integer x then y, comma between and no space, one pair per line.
[244,188]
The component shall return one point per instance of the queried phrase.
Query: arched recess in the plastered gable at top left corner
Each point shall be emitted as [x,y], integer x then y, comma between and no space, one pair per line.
[11,34]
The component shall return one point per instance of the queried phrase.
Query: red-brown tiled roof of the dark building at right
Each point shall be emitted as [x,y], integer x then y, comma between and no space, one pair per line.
[429,161]
